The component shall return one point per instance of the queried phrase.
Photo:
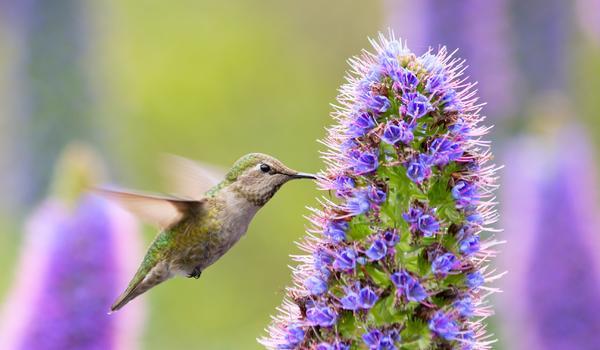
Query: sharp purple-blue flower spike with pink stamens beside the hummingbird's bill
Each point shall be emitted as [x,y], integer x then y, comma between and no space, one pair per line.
[397,260]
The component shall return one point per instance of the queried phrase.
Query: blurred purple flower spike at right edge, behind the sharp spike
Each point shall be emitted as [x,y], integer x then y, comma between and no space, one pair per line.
[552,293]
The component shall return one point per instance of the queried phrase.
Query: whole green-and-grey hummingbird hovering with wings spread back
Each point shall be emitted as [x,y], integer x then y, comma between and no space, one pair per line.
[199,228]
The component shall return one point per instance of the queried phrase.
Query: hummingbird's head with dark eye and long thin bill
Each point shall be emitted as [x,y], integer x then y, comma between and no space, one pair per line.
[257,177]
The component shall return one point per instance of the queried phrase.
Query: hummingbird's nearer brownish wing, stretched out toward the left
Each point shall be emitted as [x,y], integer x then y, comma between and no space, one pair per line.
[162,211]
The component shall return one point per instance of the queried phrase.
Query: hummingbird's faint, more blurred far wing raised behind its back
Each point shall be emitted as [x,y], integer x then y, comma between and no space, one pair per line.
[189,178]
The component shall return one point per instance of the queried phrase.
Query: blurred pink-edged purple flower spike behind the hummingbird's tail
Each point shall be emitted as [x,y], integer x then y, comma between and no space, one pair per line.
[78,252]
